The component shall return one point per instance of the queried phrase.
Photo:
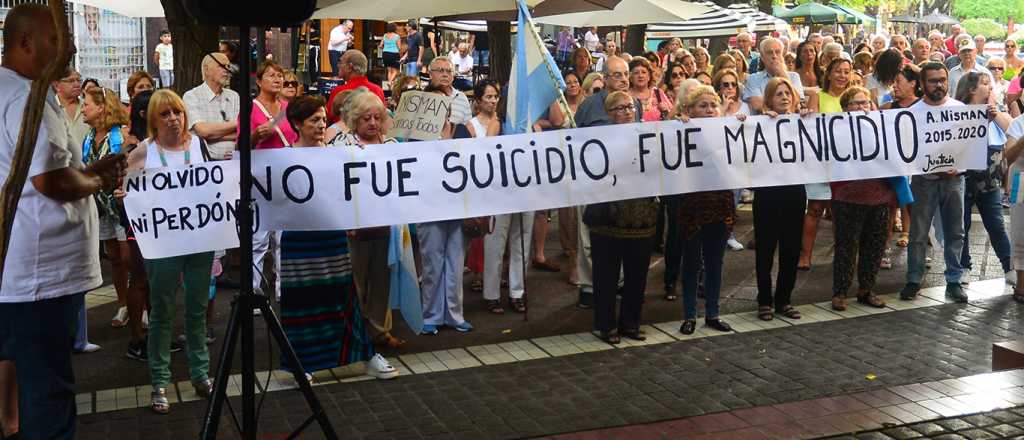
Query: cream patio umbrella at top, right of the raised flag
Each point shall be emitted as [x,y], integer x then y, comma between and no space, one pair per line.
[630,13]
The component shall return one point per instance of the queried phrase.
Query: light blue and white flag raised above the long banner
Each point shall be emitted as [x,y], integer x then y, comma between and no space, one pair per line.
[536,82]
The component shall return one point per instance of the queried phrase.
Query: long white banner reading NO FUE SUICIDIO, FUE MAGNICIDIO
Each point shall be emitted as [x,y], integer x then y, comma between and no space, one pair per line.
[413,183]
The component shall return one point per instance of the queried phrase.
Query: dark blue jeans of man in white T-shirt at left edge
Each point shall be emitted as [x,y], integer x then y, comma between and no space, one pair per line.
[38,337]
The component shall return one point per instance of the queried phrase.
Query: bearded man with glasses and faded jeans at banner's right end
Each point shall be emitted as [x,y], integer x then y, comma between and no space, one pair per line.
[937,194]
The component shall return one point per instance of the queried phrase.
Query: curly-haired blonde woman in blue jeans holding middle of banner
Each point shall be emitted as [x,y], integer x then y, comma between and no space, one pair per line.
[705,222]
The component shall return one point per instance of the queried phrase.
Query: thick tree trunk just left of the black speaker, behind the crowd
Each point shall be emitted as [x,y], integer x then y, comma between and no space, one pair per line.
[192,43]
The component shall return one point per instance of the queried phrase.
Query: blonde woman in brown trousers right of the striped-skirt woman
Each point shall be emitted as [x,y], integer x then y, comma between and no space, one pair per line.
[365,115]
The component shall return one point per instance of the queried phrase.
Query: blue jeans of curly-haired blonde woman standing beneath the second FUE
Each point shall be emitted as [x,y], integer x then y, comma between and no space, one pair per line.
[710,243]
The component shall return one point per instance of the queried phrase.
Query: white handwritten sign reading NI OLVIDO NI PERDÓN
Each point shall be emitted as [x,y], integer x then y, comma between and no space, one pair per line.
[187,210]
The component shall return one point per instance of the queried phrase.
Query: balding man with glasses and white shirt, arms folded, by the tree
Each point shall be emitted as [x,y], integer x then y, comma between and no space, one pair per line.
[214,109]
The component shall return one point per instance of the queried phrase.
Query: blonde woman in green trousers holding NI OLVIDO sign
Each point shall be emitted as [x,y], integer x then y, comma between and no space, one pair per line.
[170,145]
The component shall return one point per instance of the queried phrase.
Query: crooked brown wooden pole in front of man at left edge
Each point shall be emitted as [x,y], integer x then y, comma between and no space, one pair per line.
[31,122]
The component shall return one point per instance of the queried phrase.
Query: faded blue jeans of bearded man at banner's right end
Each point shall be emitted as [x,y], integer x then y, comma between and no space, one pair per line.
[944,198]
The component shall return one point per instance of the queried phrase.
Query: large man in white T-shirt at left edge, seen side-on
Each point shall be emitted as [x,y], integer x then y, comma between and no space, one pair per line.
[54,250]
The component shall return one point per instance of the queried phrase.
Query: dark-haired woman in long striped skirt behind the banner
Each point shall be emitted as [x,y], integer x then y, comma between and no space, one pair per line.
[321,312]
